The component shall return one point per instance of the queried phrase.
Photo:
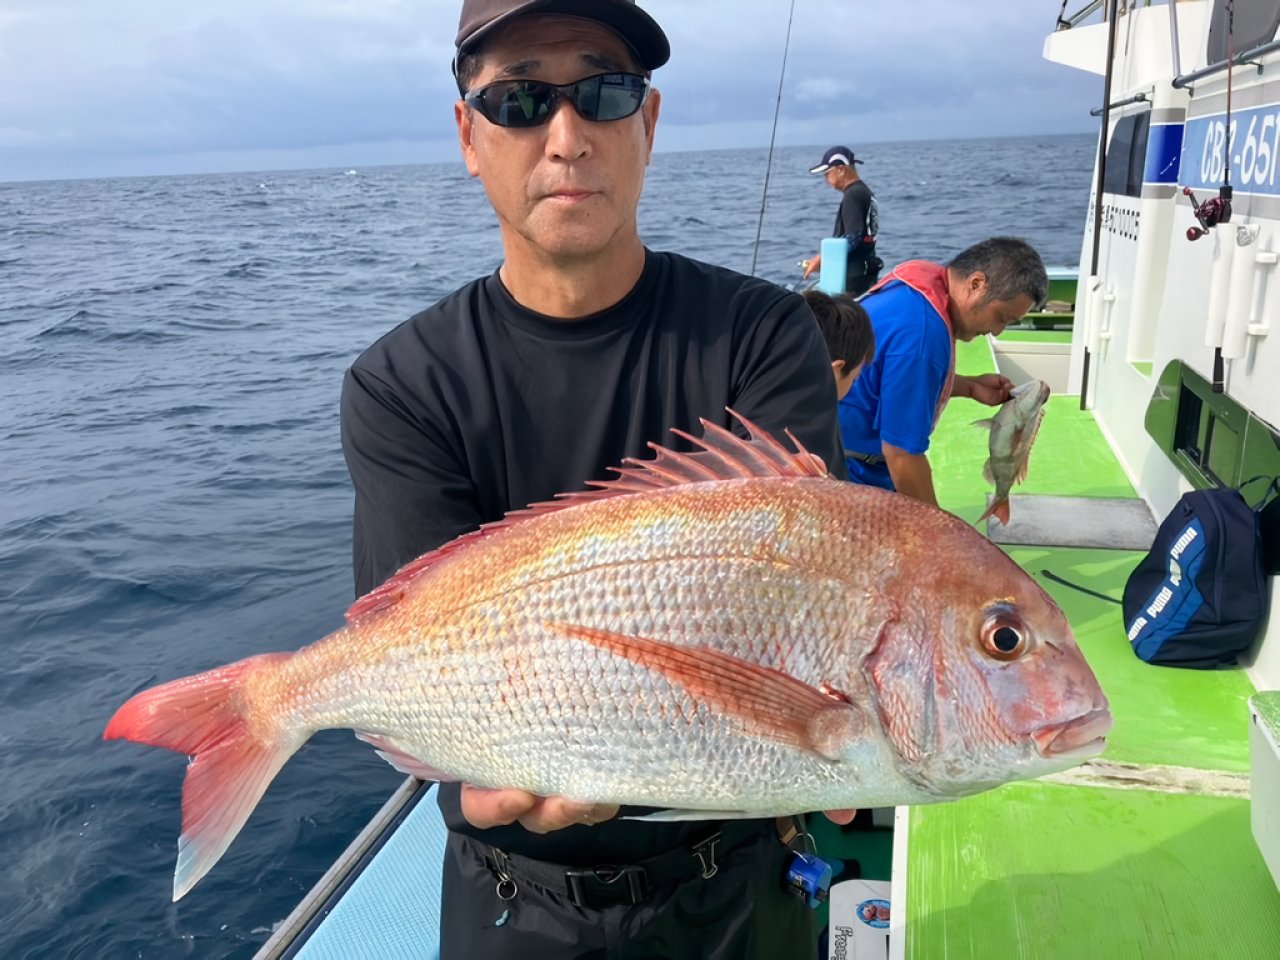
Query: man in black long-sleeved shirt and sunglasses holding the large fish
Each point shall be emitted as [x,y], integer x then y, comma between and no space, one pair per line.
[582,349]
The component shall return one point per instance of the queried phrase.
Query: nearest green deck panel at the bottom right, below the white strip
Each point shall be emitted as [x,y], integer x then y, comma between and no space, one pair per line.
[1049,872]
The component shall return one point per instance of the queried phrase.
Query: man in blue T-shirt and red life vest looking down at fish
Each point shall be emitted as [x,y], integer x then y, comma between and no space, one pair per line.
[918,313]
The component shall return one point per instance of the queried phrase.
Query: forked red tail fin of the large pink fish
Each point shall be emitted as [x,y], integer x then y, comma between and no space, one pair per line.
[207,717]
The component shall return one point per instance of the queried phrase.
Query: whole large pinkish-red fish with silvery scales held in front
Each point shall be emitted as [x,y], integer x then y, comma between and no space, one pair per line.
[767,642]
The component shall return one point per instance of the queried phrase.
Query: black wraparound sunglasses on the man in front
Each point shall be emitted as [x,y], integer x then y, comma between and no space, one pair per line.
[519,103]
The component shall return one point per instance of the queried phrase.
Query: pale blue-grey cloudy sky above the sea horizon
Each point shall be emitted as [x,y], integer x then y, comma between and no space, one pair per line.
[111,88]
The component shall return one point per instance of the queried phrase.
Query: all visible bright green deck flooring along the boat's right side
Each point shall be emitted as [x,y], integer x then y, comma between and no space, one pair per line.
[1052,871]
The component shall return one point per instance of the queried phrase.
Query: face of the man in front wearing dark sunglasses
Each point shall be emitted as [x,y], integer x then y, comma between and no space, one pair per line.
[570,188]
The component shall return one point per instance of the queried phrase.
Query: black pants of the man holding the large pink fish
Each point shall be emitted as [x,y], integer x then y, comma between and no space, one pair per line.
[743,913]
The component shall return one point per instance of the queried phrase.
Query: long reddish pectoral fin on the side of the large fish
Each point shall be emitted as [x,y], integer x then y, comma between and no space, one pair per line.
[769,703]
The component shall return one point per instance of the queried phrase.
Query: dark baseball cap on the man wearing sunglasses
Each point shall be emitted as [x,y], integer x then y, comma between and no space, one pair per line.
[482,17]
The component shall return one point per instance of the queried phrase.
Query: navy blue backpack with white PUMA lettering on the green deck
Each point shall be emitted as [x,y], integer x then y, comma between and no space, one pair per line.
[1200,596]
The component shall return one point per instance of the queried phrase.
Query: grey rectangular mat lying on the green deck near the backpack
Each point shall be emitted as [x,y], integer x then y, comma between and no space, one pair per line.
[1076,522]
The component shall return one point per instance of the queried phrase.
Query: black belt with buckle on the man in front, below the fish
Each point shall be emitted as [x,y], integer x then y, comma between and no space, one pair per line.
[610,885]
